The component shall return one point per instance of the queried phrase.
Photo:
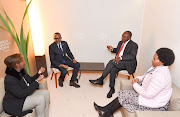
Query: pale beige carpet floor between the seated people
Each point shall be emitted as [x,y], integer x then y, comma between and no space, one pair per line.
[68,101]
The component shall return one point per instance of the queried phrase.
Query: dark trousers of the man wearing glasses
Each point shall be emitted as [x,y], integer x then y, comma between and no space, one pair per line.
[69,63]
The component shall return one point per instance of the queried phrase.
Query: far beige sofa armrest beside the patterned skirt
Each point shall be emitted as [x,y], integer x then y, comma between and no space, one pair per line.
[125,85]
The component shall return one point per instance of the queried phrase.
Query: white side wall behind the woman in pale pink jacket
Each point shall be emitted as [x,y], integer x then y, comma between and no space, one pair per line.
[161,28]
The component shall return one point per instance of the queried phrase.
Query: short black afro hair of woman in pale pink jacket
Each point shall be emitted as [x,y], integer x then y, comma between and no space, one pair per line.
[166,56]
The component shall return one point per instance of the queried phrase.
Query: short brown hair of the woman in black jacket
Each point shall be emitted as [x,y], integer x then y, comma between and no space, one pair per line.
[13,59]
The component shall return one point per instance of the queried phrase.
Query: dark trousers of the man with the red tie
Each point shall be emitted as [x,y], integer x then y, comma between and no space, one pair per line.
[113,69]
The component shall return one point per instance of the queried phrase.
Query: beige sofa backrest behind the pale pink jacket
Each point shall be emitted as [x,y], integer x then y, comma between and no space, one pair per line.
[175,99]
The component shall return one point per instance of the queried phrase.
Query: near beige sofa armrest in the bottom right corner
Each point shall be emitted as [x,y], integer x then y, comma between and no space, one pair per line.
[157,113]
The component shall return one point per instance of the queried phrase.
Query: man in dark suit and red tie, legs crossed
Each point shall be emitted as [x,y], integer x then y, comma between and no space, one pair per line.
[125,59]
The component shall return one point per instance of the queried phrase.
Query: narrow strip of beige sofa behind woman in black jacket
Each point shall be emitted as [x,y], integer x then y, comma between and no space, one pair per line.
[2,92]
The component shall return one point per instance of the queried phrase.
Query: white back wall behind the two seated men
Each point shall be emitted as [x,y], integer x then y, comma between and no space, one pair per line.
[90,25]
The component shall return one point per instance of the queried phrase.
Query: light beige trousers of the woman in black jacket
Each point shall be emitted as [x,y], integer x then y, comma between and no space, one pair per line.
[40,101]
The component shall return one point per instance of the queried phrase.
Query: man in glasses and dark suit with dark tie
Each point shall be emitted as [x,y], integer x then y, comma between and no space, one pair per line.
[59,60]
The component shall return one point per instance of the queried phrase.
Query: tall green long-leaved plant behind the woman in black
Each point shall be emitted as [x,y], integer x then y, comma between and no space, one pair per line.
[21,40]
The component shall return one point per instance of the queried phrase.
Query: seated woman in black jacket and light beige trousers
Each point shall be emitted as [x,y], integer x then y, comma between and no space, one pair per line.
[21,94]
